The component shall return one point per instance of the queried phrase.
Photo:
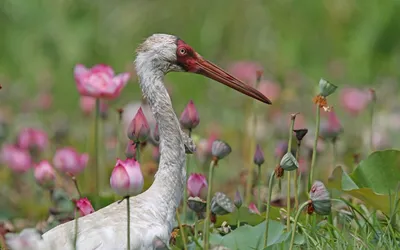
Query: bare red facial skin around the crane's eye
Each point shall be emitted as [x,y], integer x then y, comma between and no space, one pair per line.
[186,57]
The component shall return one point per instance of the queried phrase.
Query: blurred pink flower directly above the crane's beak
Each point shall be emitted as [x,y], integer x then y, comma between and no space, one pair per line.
[245,71]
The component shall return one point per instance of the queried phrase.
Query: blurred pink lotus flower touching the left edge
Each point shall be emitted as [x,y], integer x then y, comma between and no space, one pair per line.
[16,158]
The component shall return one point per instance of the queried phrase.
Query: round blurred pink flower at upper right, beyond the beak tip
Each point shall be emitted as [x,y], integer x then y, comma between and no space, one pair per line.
[354,100]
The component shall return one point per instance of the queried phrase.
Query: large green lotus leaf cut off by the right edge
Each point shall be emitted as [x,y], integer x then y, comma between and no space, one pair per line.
[380,172]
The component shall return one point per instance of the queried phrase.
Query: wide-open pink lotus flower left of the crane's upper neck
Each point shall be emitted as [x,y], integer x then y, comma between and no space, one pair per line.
[99,81]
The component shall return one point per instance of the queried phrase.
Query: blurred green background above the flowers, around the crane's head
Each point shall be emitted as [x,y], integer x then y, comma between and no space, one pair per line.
[345,41]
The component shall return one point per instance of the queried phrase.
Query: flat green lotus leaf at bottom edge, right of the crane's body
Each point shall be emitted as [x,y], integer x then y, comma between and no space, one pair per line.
[249,237]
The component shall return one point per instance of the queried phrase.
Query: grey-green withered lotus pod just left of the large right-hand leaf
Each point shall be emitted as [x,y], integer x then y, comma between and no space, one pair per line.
[319,196]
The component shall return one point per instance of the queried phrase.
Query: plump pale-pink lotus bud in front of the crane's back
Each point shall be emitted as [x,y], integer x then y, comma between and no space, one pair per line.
[127,178]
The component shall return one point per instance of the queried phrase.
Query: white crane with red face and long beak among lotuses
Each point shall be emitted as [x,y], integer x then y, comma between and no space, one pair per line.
[153,211]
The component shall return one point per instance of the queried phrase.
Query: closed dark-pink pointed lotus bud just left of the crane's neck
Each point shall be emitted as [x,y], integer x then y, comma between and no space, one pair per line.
[139,130]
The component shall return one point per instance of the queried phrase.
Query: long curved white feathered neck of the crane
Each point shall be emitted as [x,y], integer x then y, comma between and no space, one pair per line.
[170,177]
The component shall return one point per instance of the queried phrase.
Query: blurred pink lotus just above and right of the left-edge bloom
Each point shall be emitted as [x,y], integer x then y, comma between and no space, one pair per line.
[31,138]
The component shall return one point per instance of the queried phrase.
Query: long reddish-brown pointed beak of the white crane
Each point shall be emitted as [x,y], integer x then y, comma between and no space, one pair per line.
[210,70]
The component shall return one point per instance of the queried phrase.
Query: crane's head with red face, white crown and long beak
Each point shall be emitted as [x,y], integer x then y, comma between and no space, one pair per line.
[170,53]
